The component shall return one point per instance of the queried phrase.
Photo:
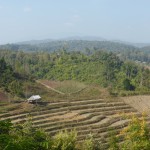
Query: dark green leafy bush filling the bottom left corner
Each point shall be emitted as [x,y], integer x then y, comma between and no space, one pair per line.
[23,137]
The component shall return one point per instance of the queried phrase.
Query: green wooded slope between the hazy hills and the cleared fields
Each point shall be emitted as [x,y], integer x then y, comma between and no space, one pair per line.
[103,68]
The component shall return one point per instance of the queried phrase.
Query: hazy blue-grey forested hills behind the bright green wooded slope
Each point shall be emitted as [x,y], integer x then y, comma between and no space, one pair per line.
[124,51]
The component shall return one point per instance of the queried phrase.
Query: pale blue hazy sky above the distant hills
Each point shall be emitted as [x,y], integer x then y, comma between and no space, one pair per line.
[127,20]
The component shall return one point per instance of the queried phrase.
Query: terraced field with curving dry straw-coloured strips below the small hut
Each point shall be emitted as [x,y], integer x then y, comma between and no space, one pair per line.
[96,117]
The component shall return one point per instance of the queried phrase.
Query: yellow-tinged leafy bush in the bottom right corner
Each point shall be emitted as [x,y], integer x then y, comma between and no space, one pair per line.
[136,135]
